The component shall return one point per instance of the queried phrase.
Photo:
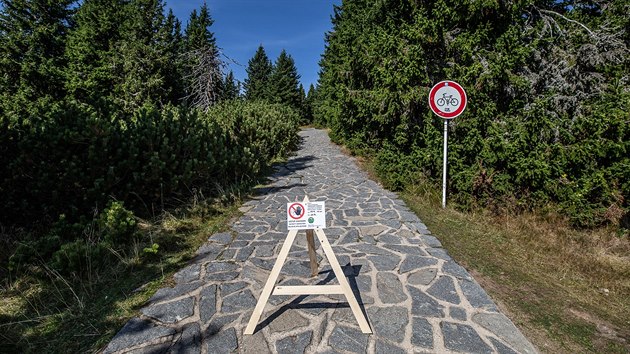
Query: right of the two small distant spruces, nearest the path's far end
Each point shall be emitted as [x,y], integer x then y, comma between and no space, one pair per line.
[285,82]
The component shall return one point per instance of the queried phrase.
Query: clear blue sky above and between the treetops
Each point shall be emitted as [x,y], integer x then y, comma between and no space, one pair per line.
[241,25]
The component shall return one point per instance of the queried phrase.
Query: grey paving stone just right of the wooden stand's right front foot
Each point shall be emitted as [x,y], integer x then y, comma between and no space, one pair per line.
[389,322]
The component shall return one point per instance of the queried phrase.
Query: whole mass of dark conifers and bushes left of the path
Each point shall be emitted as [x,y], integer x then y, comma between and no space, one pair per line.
[111,110]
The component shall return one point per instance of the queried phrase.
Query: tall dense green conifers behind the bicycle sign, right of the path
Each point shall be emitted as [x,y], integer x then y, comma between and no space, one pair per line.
[548,85]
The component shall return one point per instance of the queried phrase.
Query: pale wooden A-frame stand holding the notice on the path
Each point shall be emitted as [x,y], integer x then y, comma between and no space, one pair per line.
[342,289]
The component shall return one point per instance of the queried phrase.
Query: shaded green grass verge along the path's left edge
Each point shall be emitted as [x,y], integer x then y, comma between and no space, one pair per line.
[42,311]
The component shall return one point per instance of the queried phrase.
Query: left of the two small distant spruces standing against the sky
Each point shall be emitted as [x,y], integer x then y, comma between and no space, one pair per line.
[259,70]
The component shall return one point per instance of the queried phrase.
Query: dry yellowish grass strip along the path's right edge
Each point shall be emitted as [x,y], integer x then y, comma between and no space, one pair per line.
[568,290]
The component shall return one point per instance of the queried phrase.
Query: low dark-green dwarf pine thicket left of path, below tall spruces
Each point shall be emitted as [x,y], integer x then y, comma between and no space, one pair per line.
[69,159]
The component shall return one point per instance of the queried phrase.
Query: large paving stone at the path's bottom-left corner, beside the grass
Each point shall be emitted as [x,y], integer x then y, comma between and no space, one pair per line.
[136,332]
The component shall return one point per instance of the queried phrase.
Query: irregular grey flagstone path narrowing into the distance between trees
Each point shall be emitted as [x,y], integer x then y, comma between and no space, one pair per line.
[415,297]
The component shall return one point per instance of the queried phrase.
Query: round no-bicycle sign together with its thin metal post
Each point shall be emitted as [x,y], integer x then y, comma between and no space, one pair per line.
[447,99]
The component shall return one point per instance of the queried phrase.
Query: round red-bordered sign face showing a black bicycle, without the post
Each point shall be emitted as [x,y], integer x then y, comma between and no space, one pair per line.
[447,99]
